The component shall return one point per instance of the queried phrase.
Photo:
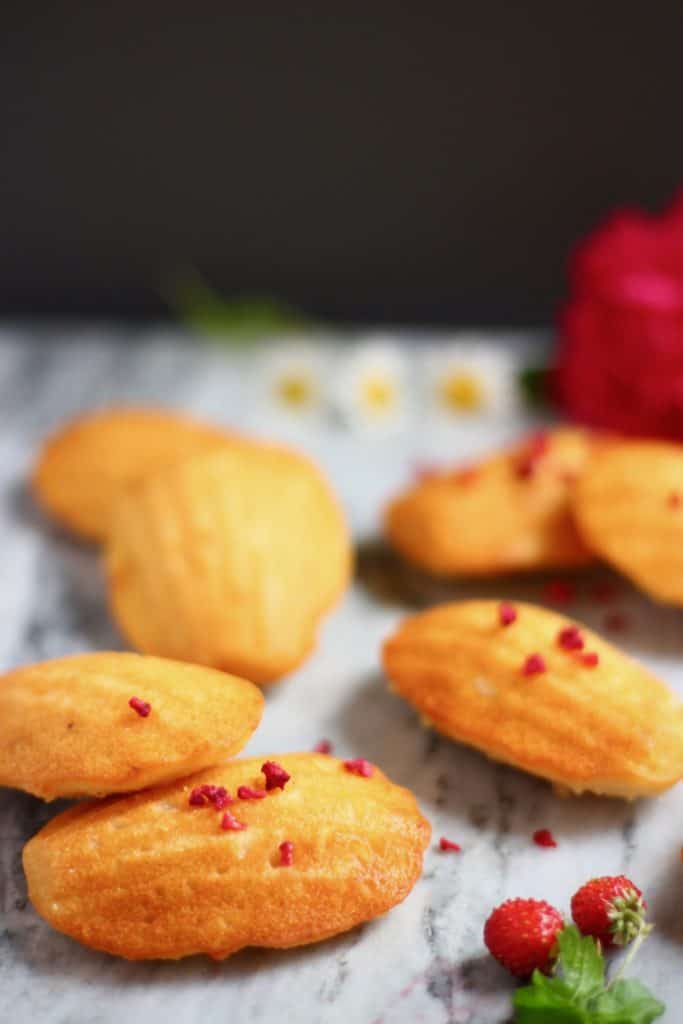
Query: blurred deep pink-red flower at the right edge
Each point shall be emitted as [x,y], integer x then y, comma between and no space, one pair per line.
[621,359]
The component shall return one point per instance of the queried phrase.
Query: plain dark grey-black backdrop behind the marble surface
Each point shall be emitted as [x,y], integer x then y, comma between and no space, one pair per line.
[408,163]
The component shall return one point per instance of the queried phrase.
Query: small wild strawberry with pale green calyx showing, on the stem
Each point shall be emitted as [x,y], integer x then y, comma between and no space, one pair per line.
[611,910]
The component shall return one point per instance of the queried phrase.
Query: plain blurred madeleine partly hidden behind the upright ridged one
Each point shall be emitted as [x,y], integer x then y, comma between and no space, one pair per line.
[83,468]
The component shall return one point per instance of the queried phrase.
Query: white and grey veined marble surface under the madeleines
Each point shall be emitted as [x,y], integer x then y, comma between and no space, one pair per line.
[425,961]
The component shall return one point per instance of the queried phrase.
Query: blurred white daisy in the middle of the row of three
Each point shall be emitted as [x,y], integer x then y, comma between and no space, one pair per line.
[370,386]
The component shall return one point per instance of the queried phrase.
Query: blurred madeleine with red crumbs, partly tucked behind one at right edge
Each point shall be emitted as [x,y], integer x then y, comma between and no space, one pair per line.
[508,514]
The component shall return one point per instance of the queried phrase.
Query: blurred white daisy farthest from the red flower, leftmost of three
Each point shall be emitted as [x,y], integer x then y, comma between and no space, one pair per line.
[290,378]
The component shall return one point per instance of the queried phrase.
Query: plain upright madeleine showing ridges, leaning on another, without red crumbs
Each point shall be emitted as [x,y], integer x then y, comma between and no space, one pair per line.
[229,560]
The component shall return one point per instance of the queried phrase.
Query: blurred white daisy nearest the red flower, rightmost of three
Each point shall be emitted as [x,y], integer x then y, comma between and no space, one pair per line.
[472,379]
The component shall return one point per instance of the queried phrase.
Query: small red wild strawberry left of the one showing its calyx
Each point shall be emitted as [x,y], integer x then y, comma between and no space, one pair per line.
[522,935]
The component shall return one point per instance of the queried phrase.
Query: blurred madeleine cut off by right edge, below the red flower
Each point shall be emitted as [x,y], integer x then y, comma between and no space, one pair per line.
[629,508]
